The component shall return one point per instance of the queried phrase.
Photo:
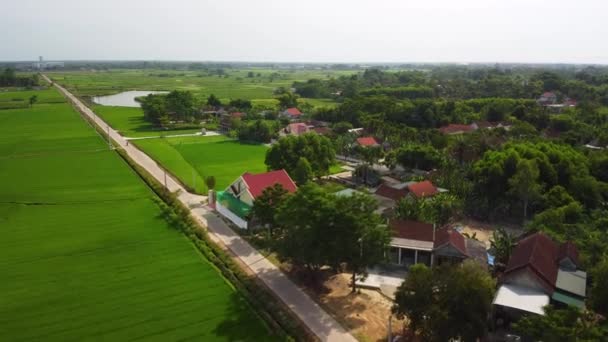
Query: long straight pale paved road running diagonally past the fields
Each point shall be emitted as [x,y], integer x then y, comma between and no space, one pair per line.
[318,321]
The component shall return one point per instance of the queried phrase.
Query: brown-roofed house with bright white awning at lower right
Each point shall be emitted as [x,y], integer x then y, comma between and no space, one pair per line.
[540,272]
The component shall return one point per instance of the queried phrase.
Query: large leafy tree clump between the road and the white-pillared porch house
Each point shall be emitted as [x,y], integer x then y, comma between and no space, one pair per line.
[315,228]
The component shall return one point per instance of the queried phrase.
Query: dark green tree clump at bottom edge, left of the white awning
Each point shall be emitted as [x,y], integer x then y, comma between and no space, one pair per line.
[446,303]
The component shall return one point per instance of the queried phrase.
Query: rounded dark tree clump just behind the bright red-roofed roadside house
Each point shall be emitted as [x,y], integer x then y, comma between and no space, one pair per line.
[316,149]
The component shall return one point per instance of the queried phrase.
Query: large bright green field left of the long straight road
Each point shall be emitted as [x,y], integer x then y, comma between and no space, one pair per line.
[84,253]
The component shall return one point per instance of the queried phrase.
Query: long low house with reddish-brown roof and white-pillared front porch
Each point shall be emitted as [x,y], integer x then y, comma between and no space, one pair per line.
[416,242]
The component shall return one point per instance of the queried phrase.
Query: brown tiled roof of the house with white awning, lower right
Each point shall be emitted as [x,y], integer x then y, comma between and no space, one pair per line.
[538,254]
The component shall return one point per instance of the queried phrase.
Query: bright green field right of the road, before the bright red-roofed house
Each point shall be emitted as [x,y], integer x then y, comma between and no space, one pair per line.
[192,159]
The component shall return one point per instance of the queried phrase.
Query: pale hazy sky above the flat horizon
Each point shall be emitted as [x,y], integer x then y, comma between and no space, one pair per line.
[307,30]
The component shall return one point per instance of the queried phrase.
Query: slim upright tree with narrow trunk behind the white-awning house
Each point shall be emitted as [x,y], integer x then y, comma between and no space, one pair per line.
[524,184]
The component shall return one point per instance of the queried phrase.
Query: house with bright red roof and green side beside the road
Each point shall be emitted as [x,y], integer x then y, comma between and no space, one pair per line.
[236,201]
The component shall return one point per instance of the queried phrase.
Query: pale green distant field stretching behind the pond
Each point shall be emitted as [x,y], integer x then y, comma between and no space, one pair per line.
[235,85]
